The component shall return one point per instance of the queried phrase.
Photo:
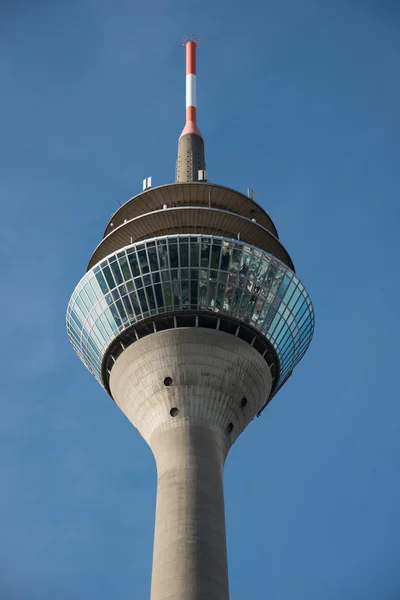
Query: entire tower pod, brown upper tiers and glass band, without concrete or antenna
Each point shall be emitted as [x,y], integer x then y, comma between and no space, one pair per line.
[190,255]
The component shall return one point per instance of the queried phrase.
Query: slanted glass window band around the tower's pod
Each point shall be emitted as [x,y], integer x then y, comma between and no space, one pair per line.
[190,274]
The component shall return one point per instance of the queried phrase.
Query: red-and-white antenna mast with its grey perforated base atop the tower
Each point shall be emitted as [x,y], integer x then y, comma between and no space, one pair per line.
[191,159]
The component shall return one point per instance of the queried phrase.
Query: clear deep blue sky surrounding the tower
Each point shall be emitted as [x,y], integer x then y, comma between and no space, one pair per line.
[298,100]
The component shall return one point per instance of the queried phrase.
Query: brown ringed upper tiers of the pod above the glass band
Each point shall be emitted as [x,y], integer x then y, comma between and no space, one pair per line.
[188,208]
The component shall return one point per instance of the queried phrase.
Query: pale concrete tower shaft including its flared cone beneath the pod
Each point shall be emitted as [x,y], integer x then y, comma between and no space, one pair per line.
[190,393]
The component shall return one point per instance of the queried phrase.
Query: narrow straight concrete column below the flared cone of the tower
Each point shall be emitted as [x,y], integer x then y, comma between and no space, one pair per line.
[189,558]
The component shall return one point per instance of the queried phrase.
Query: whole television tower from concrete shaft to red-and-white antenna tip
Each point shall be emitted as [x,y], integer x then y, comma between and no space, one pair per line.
[191,316]
